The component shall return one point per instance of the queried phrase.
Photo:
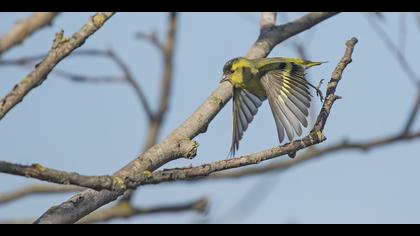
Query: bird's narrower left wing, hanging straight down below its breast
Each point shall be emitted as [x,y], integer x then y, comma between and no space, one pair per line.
[245,106]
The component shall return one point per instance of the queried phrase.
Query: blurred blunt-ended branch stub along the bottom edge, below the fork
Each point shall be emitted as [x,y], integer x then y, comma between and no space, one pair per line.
[126,210]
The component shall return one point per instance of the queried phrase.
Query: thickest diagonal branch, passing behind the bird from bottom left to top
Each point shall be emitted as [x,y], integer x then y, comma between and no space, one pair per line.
[82,204]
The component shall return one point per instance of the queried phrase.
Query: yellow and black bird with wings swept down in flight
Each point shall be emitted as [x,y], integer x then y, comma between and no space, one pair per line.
[280,80]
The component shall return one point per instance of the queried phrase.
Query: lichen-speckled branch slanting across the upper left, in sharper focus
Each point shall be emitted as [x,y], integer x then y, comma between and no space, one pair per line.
[61,48]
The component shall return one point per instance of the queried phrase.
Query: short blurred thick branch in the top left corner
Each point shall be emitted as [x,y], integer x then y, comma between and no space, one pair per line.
[25,28]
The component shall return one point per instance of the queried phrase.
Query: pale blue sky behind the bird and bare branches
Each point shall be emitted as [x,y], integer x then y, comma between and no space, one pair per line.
[97,128]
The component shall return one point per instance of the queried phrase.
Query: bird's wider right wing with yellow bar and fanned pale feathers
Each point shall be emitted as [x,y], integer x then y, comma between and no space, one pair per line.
[289,98]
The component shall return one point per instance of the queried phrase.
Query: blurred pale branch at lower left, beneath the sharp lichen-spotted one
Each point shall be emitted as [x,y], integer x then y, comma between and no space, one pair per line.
[37,189]
